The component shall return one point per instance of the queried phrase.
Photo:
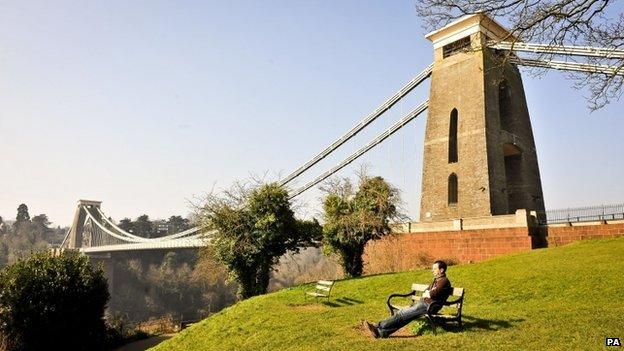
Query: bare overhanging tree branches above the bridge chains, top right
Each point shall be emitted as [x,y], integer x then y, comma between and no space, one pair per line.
[555,22]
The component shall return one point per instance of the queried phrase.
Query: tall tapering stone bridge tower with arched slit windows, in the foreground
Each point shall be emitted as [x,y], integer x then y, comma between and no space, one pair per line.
[479,155]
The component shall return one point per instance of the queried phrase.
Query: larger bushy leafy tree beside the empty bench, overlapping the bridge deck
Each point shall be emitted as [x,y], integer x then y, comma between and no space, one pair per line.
[254,227]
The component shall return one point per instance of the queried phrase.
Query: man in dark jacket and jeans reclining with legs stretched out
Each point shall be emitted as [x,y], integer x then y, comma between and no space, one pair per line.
[438,292]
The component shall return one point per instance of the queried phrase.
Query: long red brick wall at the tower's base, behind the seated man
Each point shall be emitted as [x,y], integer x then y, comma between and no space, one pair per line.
[408,251]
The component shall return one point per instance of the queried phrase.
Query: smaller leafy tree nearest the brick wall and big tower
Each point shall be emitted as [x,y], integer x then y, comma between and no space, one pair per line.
[354,218]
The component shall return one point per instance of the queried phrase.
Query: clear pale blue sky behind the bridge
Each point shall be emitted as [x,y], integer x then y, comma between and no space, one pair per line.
[144,104]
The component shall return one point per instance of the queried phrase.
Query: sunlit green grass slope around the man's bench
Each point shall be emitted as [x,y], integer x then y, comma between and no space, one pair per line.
[562,298]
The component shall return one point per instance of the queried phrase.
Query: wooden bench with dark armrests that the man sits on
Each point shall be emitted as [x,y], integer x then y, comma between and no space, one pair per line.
[456,300]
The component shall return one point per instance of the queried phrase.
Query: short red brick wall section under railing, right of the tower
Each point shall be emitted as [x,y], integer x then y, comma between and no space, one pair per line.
[558,236]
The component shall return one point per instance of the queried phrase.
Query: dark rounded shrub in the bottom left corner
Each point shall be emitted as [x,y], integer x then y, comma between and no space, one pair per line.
[51,302]
